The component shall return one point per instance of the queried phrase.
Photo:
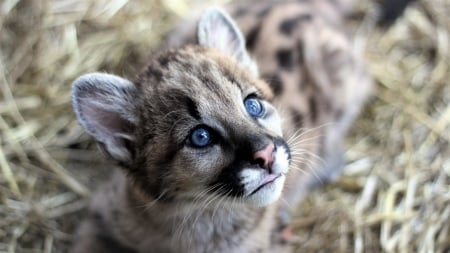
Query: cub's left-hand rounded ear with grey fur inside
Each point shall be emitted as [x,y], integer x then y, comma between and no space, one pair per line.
[104,105]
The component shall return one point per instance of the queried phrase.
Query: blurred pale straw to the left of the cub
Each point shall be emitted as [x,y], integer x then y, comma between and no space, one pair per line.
[46,161]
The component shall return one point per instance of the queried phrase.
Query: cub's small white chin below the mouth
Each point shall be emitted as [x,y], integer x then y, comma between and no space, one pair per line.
[268,194]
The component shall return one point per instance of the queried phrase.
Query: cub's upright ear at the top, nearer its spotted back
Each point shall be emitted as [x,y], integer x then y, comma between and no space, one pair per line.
[217,30]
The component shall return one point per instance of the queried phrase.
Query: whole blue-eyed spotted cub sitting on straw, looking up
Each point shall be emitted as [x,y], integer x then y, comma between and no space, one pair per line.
[236,118]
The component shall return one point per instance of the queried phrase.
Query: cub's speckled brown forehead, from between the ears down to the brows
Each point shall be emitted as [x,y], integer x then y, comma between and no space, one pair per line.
[198,81]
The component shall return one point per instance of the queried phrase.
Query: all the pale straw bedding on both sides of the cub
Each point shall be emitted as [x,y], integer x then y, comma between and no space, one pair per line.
[395,196]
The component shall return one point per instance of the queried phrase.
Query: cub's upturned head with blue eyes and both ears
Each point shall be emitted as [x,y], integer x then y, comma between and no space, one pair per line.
[196,124]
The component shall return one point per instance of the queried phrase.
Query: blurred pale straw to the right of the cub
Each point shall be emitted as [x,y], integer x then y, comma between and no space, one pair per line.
[395,195]
